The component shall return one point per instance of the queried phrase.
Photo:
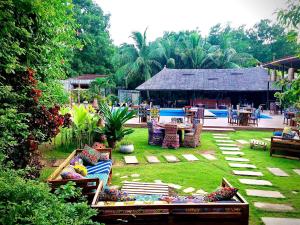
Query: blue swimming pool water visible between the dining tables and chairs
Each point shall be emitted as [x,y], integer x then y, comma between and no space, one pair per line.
[218,113]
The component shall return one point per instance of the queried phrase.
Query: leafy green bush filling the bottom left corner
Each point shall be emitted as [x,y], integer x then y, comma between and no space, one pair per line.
[25,201]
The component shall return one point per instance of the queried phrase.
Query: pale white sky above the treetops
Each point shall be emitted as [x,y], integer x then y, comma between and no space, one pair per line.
[177,15]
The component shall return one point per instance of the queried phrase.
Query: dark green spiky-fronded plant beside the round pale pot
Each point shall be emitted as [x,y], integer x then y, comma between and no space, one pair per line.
[115,119]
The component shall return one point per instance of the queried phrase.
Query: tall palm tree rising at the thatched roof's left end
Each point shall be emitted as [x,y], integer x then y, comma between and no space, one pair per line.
[140,58]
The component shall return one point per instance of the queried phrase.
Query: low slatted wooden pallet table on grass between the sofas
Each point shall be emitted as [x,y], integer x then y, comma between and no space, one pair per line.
[145,188]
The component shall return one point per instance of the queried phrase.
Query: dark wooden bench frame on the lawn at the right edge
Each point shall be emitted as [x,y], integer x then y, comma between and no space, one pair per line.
[284,145]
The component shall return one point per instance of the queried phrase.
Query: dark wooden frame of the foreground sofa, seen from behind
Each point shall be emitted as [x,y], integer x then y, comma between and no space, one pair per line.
[233,213]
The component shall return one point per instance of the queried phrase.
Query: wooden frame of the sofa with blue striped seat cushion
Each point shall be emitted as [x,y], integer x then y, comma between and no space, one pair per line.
[88,185]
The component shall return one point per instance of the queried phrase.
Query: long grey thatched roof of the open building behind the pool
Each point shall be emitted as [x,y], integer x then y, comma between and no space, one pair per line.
[241,79]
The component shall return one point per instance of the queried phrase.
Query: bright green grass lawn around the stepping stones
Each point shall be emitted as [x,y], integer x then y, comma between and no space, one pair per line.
[205,174]
